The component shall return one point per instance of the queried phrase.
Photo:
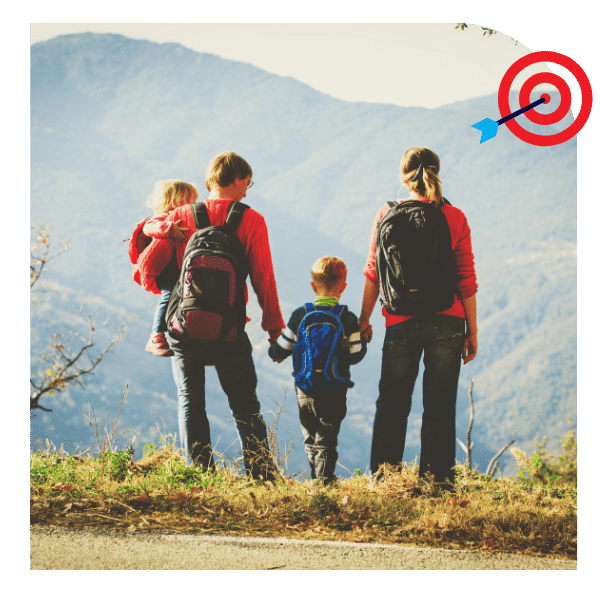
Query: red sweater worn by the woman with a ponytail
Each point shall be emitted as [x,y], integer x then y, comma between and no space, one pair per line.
[460,233]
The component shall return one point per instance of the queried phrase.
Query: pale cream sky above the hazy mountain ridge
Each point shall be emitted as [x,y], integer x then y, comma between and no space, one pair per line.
[371,62]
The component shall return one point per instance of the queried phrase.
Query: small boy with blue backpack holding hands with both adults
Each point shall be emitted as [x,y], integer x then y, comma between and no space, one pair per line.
[324,340]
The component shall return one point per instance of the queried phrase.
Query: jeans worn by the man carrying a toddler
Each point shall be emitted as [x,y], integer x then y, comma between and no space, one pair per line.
[236,372]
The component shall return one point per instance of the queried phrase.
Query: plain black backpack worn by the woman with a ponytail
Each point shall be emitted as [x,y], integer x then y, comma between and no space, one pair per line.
[414,258]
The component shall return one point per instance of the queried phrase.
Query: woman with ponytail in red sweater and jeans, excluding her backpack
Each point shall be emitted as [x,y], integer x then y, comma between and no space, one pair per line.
[439,337]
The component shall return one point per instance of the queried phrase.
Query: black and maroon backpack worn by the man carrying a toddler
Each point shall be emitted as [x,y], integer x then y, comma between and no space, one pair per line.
[208,302]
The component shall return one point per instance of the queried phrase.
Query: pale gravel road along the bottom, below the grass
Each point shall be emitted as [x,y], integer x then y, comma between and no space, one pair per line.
[99,549]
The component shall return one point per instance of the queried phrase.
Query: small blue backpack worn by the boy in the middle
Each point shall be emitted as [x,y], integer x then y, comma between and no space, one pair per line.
[316,354]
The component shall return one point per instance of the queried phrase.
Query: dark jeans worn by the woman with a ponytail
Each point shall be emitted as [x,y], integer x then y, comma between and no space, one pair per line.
[439,339]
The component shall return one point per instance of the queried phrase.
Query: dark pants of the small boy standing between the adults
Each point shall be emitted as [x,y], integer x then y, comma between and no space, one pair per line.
[321,415]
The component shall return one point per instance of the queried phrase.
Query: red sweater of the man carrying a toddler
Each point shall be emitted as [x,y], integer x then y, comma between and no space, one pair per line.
[255,238]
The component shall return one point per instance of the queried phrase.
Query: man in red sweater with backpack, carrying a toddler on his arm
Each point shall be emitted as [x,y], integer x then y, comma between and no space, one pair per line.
[226,240]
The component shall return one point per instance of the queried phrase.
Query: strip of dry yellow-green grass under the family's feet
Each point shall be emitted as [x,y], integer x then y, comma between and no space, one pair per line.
[161,492]
